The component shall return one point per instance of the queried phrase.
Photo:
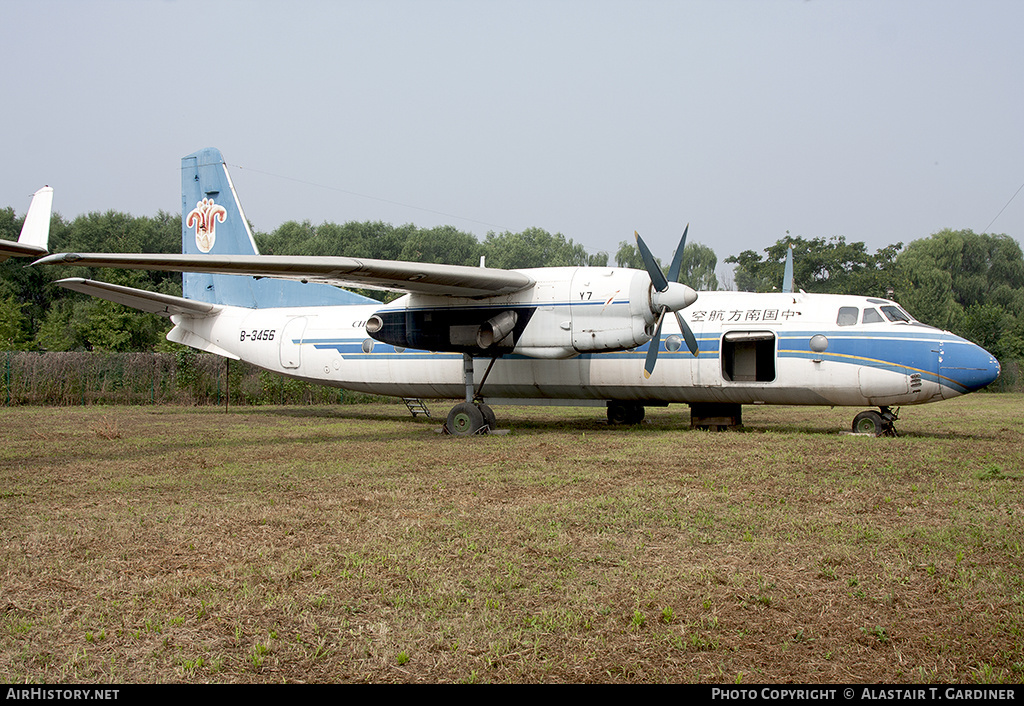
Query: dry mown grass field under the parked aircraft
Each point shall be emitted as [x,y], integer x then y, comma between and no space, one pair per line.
[355,545]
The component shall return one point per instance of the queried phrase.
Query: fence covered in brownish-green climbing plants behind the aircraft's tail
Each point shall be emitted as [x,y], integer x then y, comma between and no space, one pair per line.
[185,379]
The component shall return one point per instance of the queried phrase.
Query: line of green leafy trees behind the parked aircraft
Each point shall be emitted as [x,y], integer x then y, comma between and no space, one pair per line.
[971,284]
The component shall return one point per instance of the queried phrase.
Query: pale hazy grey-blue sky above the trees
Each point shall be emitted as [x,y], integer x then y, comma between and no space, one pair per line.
[881,121]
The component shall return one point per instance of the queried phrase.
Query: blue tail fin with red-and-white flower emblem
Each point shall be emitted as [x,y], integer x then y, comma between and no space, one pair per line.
[212,222]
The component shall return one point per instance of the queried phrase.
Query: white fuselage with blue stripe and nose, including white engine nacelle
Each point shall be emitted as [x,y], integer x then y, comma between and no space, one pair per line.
[587,340]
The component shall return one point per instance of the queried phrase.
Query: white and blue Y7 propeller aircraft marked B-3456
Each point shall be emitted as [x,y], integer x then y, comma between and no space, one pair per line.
[557,336]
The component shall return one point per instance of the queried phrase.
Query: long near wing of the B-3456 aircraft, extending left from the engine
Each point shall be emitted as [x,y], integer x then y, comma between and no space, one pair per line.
[423,278]
